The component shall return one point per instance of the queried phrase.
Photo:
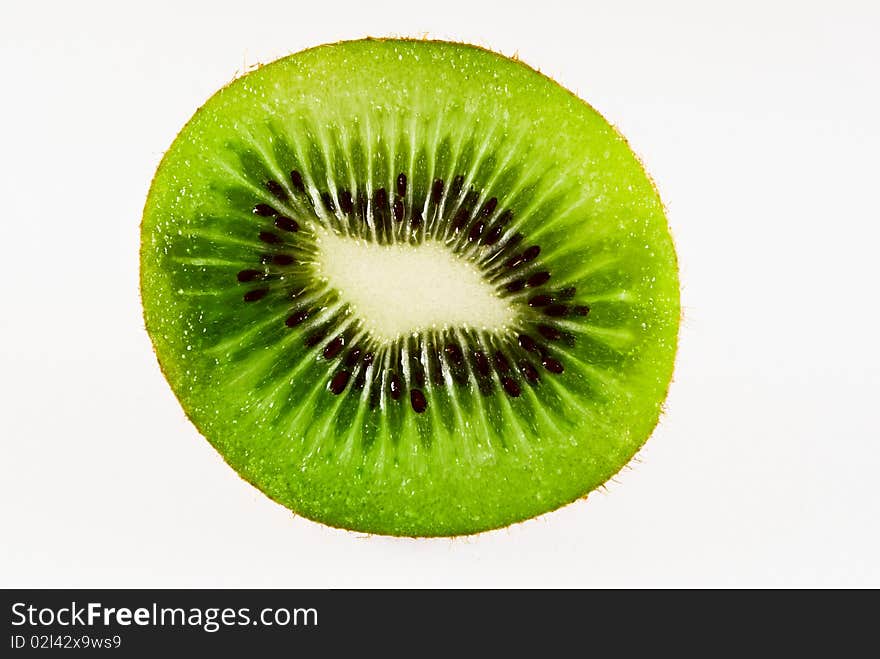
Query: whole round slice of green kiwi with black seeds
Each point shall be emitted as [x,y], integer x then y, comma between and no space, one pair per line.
[410,287]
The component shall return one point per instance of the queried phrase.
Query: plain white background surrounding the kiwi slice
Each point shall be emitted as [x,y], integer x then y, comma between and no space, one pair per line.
[758,121]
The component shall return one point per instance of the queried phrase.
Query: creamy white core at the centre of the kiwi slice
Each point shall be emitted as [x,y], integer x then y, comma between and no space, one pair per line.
[401,289]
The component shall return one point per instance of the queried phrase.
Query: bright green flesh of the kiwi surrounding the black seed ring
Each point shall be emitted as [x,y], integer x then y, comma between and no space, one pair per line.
[364,111]
